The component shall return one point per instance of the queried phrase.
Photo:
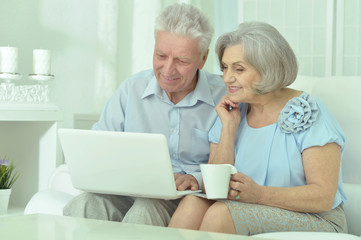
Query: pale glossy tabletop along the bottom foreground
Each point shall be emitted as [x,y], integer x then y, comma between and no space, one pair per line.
[51,227]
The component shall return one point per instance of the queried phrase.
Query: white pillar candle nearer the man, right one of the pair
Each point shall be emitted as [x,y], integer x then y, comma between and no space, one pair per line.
[41,61]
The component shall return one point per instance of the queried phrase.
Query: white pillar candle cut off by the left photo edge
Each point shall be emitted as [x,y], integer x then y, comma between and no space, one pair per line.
[8,60]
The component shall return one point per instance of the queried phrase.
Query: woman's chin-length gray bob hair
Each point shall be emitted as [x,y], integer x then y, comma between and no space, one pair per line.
[266,50]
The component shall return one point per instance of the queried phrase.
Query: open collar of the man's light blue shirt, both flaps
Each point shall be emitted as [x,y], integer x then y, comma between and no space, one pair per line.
[202,91]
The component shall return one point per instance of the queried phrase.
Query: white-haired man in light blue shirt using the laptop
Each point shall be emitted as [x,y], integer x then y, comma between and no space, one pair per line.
[176,98]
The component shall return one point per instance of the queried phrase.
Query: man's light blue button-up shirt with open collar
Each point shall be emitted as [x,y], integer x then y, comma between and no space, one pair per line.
[140,105]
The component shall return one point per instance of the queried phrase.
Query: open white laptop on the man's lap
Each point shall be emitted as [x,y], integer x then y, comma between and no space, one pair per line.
[120,163]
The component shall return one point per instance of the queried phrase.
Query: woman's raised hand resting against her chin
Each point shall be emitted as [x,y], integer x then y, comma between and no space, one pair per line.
[228,112]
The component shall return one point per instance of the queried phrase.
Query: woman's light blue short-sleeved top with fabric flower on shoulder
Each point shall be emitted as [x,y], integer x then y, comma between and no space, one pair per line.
[272,155]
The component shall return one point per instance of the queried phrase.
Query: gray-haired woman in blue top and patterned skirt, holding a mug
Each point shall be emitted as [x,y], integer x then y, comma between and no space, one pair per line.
[285,144]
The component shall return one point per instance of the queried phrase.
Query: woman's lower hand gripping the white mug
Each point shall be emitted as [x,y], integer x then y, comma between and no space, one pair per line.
[244,189]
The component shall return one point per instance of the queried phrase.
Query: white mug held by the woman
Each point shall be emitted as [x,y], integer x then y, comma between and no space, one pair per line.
[216,179]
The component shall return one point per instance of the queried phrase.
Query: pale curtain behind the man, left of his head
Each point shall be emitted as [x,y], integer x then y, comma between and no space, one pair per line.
[125,43]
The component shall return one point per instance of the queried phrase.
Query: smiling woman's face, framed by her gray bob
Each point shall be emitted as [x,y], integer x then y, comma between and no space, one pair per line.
[238,75]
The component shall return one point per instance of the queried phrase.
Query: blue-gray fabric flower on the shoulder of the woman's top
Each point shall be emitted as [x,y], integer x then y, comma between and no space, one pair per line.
[298,114]
